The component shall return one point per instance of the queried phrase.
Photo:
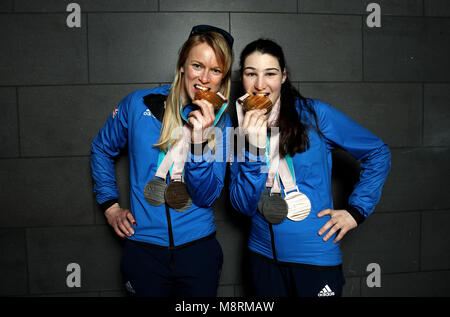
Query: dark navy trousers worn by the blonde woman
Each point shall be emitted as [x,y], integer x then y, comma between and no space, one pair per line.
[188,271]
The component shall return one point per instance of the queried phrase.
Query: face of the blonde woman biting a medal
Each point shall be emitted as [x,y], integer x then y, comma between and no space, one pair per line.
[201,71]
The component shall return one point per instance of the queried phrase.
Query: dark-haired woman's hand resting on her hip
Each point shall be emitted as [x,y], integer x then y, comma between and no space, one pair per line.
[340,220]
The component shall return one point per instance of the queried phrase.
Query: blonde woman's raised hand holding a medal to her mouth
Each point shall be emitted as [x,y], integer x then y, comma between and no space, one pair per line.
[201,120]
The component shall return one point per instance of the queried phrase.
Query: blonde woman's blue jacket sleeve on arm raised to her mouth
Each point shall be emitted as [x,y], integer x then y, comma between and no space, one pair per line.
[205,174]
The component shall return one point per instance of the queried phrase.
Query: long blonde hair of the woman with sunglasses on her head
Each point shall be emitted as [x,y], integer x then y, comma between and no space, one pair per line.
[172,117]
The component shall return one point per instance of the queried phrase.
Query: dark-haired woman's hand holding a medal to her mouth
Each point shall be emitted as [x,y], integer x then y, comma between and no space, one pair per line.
[255,127]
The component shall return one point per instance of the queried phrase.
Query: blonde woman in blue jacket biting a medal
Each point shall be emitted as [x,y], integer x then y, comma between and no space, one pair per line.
[171,249]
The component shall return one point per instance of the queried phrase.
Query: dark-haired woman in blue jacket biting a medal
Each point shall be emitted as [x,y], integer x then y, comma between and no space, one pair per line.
[283,181]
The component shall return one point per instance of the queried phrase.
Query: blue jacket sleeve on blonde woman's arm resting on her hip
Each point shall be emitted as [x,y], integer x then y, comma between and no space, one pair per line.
[111,138]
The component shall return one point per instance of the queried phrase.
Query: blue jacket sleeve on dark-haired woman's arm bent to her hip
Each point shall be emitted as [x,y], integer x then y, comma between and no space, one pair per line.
[366,147]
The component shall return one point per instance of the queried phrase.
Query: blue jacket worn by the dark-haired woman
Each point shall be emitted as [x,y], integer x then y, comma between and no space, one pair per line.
[299,242]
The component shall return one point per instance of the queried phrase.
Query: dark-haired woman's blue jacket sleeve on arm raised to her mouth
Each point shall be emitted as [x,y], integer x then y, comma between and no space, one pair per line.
[248,173]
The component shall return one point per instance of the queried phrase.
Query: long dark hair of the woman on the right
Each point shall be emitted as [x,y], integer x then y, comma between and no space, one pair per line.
[293,133]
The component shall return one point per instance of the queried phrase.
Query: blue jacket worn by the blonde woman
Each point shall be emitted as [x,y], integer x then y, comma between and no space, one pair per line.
[134,124]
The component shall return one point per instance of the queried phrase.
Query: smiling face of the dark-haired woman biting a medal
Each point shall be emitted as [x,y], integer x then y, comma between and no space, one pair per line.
[262,75]
